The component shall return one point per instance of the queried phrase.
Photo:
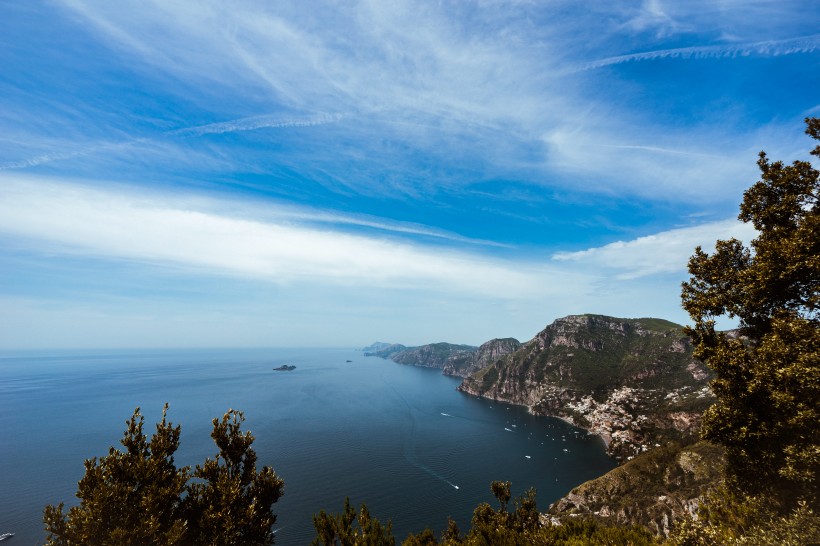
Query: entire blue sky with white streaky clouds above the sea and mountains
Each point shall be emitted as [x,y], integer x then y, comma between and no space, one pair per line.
[304,173]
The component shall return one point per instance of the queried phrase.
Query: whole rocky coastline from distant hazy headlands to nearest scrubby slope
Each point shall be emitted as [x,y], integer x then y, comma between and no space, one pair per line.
[632,382]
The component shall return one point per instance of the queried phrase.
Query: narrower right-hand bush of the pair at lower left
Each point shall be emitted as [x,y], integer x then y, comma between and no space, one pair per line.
[231,506]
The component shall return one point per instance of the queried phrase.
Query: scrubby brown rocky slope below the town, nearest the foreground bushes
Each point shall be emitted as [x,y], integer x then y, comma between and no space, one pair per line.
[653,490]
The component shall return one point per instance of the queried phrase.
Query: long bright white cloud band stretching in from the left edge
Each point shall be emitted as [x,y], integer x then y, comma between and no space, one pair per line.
[95,222]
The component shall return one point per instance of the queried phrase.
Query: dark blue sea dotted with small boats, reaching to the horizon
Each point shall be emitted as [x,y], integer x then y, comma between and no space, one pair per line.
[398,438]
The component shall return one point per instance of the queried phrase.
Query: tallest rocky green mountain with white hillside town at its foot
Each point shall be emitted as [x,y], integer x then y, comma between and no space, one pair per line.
[632,381]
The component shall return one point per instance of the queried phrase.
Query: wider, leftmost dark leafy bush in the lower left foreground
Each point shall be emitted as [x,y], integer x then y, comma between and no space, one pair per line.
[129,497]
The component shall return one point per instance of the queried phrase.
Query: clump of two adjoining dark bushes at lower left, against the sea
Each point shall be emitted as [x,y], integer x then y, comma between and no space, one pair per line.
[138,496]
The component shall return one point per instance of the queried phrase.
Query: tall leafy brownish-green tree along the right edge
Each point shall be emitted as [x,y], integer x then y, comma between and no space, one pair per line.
[767,384]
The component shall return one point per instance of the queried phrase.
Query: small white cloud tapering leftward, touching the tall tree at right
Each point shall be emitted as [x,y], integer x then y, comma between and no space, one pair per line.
[660,253]
